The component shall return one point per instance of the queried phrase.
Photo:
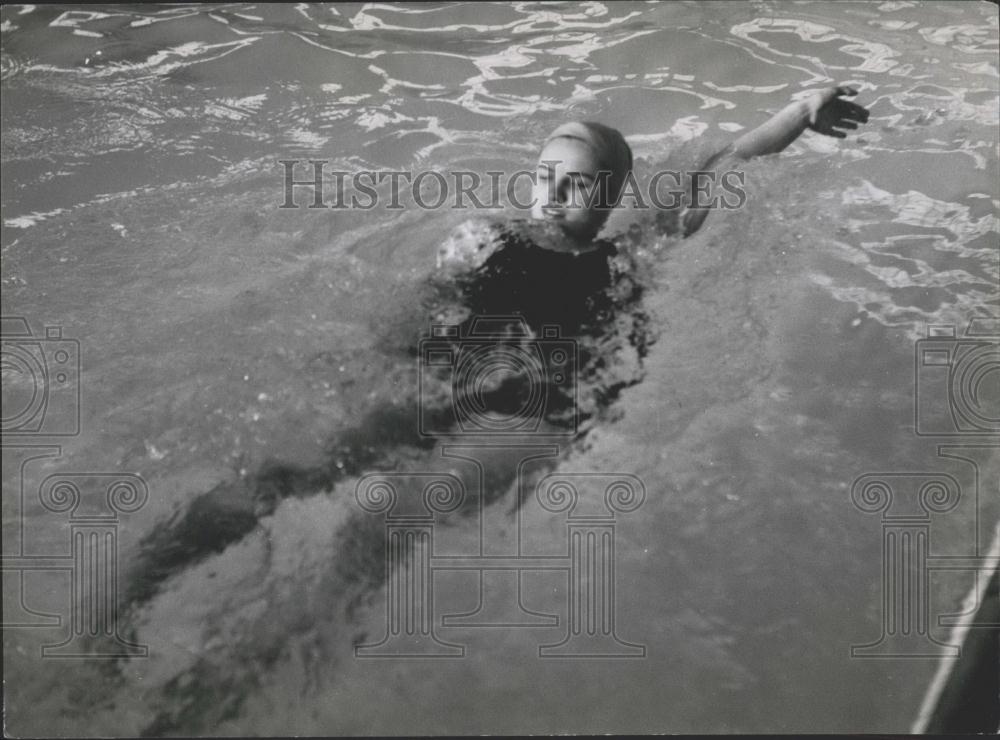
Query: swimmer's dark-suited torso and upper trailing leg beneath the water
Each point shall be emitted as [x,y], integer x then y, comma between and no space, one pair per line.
[536,292]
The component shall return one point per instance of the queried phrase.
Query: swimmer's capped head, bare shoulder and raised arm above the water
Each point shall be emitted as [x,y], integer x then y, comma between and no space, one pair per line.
[580,156]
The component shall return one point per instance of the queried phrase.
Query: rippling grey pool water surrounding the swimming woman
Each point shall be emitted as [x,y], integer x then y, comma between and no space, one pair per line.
[220,335]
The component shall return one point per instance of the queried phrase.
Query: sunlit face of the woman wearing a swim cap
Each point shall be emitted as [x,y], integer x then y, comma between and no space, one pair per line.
[566,177]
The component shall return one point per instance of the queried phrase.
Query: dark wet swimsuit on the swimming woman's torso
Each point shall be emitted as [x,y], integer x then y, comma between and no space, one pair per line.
[589,299]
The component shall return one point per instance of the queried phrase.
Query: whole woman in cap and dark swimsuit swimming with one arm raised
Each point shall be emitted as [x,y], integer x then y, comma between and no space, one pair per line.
[549,279]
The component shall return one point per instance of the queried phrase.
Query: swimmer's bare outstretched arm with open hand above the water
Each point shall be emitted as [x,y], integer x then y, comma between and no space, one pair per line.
[826,112]
